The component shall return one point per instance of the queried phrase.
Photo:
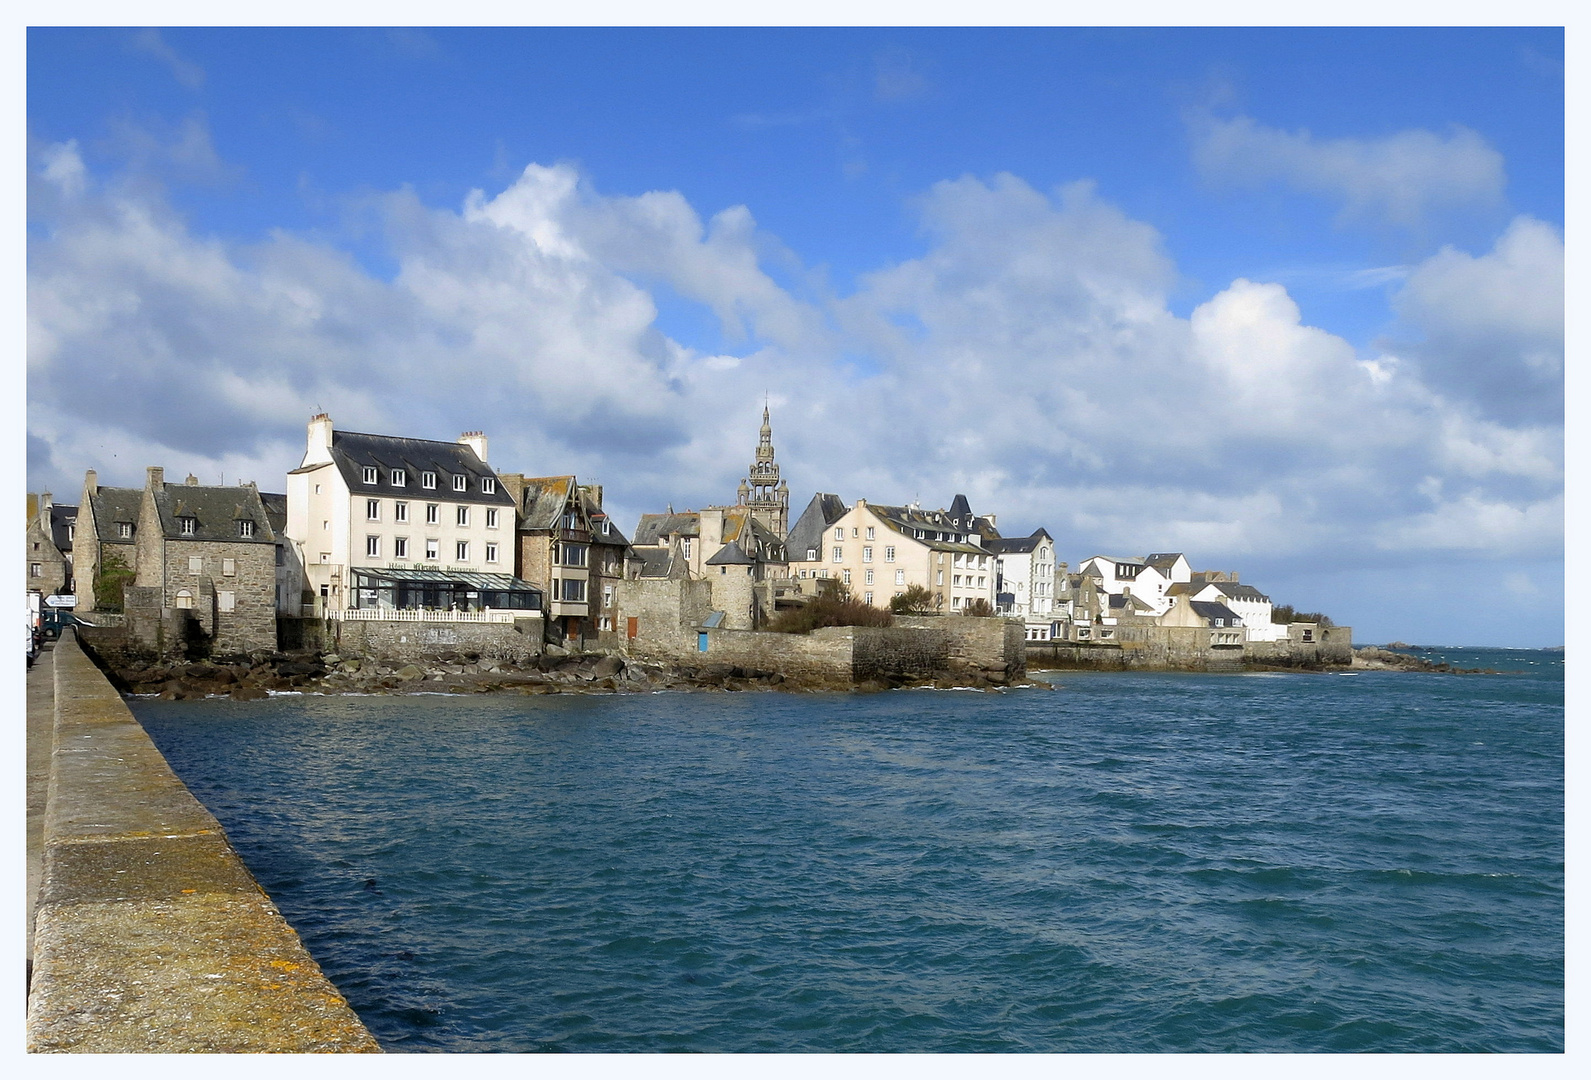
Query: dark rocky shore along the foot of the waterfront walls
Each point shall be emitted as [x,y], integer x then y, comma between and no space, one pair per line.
[257,677]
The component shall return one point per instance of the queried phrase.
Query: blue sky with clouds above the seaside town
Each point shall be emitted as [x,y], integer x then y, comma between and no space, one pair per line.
[1290,301]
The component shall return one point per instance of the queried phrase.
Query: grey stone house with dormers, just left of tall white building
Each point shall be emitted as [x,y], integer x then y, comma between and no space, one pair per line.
[206,569]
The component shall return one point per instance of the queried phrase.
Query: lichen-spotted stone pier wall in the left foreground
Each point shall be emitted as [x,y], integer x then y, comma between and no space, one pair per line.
[147,933]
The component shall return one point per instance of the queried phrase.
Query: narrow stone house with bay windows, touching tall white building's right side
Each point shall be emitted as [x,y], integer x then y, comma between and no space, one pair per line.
[566,538]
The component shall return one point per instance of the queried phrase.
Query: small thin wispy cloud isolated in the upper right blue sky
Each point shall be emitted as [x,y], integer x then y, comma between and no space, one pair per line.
[1399,179]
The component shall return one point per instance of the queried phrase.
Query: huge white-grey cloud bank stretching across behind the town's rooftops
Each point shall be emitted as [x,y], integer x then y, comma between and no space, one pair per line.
[1027,359]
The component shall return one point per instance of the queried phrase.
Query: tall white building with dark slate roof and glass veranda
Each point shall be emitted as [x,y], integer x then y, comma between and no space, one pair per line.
[389,523]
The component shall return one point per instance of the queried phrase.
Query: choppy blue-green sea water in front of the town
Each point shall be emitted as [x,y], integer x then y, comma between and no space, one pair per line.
[1132,863]
